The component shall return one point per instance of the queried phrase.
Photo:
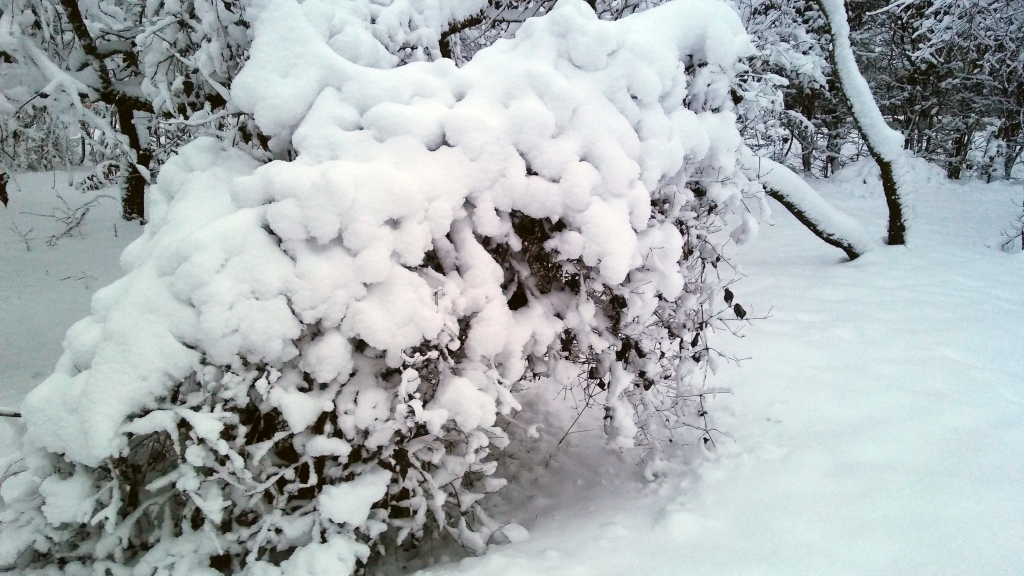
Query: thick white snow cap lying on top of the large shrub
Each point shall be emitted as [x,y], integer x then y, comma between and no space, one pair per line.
[390,162]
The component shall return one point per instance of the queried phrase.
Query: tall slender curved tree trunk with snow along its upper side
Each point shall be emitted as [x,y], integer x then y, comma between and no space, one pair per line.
[884,144]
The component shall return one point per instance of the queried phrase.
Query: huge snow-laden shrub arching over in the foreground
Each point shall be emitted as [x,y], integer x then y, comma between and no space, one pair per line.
[310,360]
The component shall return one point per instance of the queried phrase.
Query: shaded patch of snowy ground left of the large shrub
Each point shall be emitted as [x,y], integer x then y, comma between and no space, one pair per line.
[45,290]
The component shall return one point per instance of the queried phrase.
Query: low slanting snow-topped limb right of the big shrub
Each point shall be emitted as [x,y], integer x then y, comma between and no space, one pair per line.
[833,227]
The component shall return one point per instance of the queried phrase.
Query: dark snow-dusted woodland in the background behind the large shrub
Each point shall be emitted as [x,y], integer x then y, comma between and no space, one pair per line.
[947,74]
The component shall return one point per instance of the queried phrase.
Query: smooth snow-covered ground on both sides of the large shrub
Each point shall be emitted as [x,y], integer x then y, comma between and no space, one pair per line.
[876,428]
